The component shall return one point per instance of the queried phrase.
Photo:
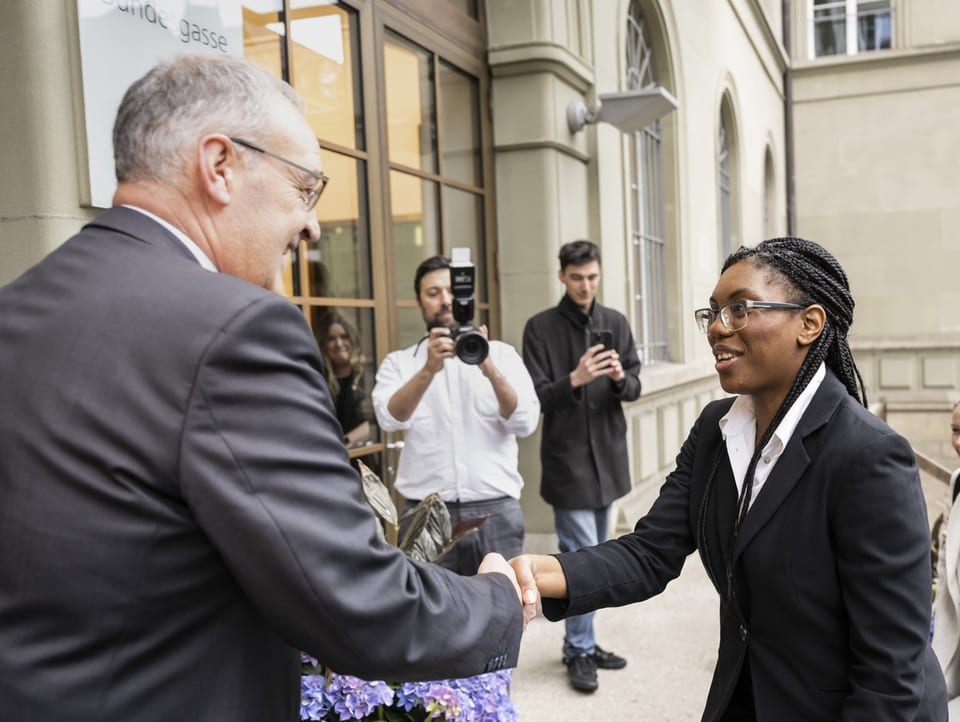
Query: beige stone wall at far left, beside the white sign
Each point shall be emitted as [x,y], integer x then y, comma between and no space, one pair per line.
[42,149]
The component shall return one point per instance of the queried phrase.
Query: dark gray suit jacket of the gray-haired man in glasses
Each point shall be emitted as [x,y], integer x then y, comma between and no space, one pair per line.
[177,513]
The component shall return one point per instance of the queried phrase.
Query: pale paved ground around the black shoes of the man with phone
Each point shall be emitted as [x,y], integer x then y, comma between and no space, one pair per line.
[670,643]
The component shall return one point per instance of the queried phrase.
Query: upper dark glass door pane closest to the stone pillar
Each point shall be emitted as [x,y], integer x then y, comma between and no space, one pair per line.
[459,126]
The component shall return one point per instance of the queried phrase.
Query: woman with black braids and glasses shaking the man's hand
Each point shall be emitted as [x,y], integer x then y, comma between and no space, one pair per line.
[805,508]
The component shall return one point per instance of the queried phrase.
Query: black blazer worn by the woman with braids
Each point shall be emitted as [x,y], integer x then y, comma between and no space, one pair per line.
[832,569]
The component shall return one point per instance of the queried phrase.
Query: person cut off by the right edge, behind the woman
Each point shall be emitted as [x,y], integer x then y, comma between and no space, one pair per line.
[946,630]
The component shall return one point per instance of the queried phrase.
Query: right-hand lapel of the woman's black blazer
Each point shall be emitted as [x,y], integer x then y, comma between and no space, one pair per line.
[793,463]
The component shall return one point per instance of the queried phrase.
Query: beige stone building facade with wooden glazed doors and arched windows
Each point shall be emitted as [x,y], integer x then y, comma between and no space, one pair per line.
[446,123]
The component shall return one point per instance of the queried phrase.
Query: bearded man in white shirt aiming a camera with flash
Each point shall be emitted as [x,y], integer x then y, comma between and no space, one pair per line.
[461,423]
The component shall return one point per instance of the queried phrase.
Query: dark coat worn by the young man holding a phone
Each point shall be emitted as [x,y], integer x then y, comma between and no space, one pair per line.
[583,443]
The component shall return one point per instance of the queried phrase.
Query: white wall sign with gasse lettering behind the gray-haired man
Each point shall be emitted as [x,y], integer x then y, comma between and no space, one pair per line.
[120,40]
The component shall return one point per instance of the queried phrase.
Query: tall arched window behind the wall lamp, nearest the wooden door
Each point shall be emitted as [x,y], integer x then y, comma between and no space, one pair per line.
[646,202]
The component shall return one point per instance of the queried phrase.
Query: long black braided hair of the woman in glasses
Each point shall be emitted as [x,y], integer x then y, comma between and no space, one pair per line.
[811,275]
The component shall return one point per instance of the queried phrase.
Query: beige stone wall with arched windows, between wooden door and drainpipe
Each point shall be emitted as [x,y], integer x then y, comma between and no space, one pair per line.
[554,186]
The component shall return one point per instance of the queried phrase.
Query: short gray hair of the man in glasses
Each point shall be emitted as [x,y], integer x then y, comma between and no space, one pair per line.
[164,113]
